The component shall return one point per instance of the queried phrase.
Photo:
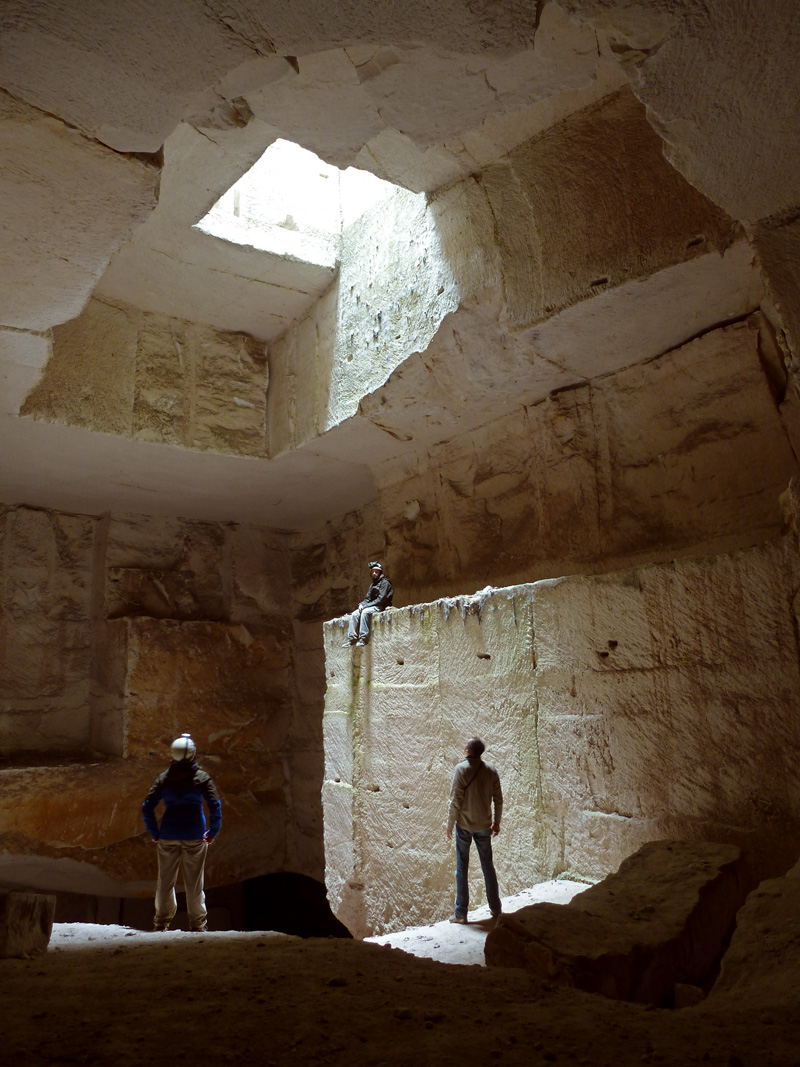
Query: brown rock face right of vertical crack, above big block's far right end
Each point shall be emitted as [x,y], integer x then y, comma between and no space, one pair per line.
[647,482]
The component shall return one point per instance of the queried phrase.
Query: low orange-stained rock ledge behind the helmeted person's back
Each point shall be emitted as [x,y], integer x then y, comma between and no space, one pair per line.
[90,815]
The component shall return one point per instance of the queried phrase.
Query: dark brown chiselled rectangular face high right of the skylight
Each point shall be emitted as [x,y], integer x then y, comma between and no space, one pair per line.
[613,148]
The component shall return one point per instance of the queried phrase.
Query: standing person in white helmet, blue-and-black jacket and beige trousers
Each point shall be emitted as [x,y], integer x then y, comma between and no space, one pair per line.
[183,839]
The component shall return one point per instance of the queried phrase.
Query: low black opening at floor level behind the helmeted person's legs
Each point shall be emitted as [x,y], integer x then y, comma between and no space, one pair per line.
[285,903]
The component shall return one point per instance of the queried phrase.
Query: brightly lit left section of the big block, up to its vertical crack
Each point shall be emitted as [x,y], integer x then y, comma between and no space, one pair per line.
[397,715]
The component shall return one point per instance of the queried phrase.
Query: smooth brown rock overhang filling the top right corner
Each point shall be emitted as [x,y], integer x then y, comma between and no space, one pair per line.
[733,138]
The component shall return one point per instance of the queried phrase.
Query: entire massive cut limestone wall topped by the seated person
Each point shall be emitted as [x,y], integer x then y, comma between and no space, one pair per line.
[657,703]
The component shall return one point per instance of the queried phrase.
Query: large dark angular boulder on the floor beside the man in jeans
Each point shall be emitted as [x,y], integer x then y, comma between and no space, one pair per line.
[664,918]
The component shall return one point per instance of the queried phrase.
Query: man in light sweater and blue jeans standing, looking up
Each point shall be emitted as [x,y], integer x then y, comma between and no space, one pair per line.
[476,786]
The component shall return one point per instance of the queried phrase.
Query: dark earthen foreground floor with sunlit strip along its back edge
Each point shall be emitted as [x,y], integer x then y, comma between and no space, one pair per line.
[111,996]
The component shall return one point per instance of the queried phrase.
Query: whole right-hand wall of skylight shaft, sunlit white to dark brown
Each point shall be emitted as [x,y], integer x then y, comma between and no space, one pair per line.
[398,352]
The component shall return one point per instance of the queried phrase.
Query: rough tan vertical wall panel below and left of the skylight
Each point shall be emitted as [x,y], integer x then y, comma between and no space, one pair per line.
[156,378]
